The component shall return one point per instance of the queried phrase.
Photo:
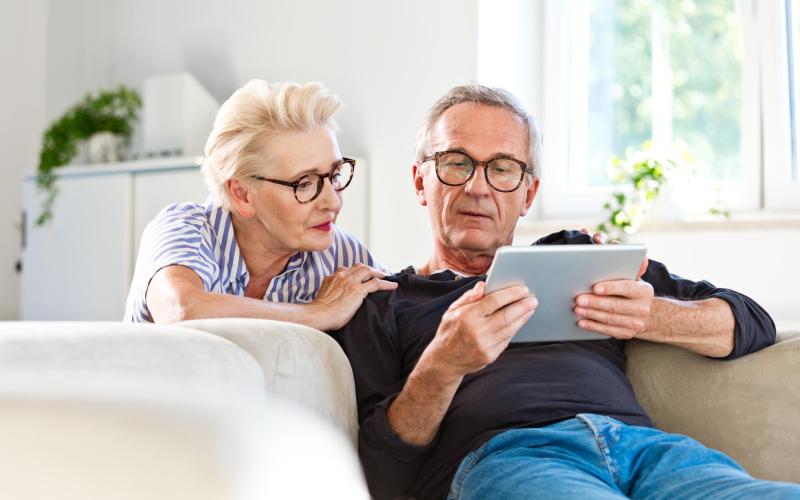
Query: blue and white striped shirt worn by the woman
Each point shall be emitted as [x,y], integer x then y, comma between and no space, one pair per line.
[201,237]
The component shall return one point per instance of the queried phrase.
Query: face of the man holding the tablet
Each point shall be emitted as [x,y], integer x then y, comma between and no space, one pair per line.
[474,217]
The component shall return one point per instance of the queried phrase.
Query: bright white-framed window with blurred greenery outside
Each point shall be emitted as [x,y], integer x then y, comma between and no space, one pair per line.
[705,76]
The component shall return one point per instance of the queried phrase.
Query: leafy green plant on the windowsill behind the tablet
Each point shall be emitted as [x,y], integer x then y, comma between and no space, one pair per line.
[646,173]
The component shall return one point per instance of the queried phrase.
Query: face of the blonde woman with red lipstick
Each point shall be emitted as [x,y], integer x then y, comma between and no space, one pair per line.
[289,224]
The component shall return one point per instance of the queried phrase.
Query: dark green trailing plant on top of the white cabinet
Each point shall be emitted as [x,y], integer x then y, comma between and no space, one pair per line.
[114,111]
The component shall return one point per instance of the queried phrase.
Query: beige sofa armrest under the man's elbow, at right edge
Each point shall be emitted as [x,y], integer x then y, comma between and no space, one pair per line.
[746,408]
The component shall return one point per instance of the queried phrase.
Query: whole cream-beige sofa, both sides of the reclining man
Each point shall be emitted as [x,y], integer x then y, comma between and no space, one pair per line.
[239,408]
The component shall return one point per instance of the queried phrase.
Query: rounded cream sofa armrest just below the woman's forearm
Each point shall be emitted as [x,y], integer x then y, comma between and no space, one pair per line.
[300,363]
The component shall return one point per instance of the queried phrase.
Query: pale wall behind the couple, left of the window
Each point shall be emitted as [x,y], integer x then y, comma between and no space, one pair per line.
[388,61]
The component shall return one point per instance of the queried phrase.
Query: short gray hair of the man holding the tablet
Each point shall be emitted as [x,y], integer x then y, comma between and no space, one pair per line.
[489,96]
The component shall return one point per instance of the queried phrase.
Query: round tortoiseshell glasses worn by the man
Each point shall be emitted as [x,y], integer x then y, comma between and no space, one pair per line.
[503,173]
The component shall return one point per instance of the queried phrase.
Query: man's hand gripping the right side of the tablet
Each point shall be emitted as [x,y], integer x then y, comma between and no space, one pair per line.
[620,309]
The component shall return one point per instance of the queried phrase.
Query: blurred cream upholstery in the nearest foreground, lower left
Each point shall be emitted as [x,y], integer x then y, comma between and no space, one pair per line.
[139,447]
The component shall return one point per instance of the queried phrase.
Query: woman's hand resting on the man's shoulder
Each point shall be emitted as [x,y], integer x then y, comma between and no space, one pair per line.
[342,293]
